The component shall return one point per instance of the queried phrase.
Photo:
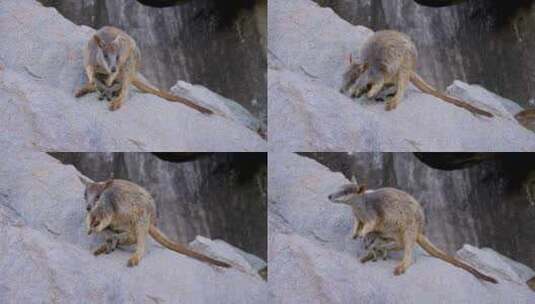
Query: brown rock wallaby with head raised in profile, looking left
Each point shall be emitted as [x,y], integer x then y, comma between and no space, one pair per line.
[396,215]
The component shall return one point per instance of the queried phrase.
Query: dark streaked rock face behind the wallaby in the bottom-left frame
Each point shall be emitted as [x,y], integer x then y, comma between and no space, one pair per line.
[220,195]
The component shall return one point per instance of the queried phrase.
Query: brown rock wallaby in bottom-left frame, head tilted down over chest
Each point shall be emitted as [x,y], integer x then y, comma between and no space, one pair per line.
[126,213]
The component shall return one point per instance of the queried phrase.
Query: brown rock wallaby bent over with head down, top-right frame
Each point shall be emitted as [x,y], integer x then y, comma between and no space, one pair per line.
[388,58]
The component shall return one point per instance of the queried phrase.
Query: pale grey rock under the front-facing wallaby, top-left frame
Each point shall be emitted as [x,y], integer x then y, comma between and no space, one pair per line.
[41,67]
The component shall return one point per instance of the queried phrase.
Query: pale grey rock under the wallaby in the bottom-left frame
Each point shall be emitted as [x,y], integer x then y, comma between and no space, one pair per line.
[45,252]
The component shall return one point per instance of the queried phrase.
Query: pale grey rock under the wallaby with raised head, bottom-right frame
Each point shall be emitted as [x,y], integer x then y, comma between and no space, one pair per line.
[313,259]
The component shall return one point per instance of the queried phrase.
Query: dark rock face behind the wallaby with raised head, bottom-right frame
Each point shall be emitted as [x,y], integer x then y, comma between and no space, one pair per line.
[484,205]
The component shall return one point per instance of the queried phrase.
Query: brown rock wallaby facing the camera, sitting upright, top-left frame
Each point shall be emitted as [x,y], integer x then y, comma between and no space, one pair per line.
[112,61]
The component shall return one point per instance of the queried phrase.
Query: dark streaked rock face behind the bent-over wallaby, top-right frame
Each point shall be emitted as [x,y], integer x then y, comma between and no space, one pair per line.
[482,42]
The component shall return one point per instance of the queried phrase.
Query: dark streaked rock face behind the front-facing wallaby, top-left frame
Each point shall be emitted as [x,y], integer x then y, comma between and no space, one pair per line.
[201,42]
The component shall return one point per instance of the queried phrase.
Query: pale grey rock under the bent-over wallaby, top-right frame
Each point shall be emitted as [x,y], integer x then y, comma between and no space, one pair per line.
[309,48]
